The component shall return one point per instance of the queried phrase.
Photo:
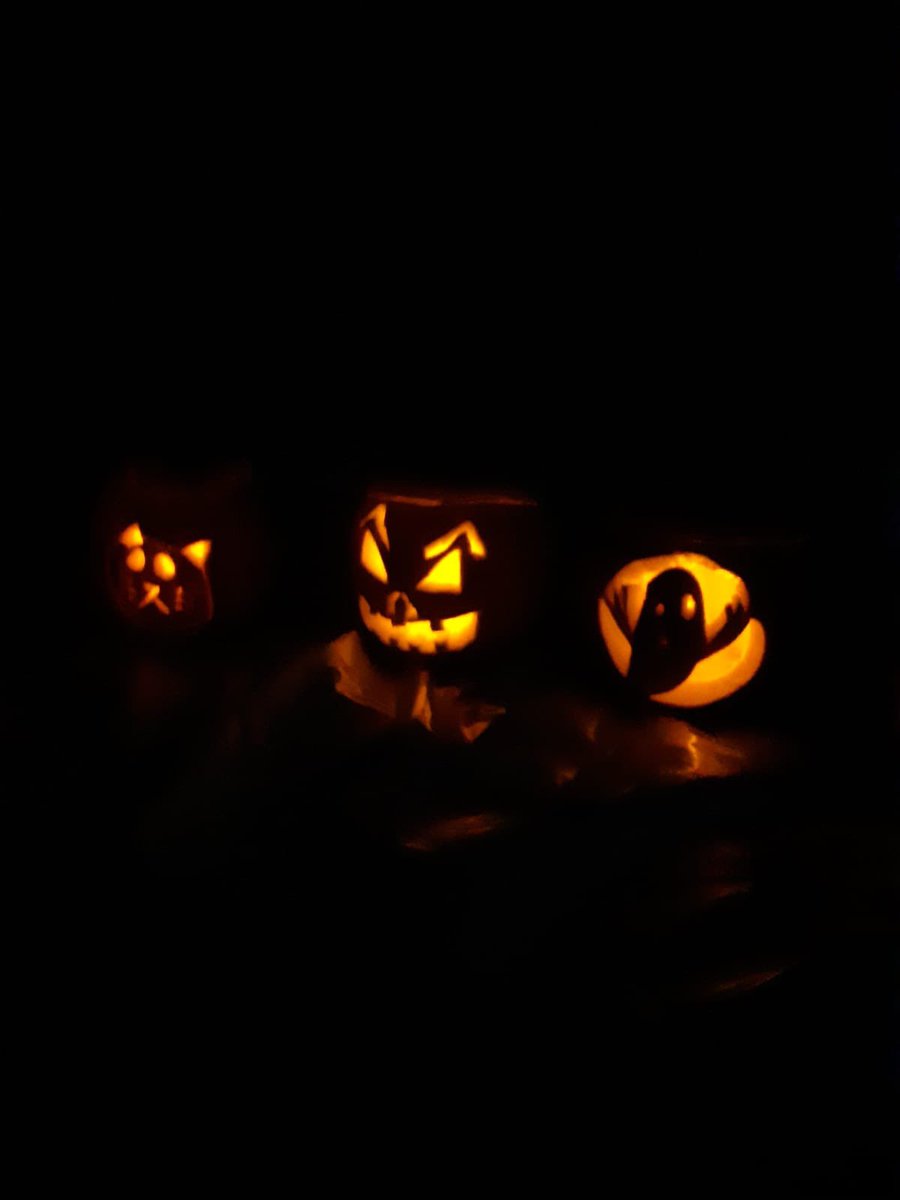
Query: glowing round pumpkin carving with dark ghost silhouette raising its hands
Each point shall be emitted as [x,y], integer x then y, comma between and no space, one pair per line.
[679,628]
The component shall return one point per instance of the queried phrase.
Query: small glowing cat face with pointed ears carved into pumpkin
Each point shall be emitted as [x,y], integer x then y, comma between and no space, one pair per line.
[158,586]
